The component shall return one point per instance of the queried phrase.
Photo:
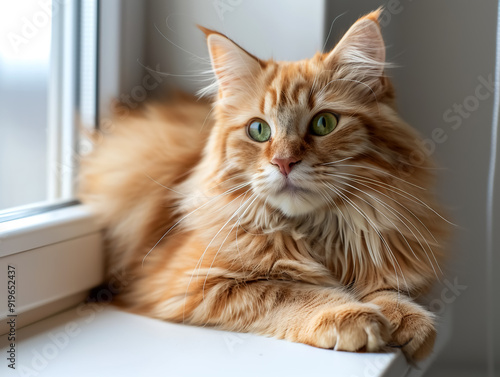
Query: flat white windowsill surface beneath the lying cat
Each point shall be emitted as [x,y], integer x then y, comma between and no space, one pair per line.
[96,341]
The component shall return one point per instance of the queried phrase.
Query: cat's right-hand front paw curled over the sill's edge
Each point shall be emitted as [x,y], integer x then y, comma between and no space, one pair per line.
[412,326]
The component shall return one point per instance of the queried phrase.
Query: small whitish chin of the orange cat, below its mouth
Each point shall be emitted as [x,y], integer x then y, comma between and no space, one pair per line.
[294,205]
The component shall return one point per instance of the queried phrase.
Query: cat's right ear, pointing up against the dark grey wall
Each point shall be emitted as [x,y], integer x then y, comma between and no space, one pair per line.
[361,50]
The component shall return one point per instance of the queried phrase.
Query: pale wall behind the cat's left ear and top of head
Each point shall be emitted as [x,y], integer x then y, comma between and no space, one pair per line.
[282,29]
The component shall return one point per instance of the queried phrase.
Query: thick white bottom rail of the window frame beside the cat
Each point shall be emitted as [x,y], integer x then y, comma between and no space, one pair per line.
[57,257]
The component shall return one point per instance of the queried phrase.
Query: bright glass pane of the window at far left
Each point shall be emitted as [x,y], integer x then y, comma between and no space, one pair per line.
[25,42]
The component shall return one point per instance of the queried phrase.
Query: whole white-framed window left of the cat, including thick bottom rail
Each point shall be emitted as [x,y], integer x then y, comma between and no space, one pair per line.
[48,94]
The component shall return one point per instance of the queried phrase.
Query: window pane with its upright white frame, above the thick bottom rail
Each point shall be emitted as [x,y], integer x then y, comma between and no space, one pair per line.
[48,71]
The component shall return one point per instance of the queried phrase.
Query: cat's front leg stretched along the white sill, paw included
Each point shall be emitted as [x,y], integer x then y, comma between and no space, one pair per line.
[318,316]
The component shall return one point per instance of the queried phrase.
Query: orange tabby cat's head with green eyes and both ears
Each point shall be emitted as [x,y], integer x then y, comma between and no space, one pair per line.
[302,132]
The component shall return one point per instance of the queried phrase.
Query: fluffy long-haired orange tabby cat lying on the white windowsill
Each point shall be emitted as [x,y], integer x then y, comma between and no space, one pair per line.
[283,212]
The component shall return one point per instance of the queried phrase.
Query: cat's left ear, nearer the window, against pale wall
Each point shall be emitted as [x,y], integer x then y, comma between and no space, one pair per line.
[233,66]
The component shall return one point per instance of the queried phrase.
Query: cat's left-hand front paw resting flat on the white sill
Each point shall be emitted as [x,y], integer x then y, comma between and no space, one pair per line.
[349,327]
